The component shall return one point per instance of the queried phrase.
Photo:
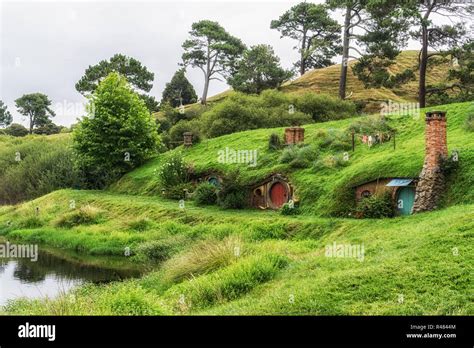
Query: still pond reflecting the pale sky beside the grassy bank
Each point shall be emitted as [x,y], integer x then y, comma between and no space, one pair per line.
[52,274]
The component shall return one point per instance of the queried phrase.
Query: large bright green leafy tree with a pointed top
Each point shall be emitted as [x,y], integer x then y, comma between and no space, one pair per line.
[117,135]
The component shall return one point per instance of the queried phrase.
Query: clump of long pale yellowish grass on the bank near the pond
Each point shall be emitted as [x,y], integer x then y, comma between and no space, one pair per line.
[204,257]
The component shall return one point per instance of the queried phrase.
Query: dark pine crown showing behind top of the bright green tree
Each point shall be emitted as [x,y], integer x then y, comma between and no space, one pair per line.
[137,75]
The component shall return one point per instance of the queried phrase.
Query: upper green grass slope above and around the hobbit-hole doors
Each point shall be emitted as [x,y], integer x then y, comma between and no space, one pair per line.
[328,191]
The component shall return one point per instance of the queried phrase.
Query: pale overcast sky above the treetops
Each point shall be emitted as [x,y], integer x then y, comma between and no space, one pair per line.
[46,46]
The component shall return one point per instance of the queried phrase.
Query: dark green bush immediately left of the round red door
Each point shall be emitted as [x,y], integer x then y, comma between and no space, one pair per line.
[233,194]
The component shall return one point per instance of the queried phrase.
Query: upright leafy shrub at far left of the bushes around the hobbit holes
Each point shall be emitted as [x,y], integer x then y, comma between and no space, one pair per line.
[174,171]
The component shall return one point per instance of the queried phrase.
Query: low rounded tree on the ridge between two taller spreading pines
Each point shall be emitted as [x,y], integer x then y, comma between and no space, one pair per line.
[258,69]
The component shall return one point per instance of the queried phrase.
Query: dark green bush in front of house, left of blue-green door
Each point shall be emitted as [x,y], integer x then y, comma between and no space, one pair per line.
[375,207]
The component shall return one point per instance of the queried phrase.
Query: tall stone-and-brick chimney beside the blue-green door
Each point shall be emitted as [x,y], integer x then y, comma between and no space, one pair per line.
[432,181]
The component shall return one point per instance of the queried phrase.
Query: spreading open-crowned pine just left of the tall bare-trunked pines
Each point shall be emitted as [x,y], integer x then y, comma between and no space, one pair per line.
[318,35]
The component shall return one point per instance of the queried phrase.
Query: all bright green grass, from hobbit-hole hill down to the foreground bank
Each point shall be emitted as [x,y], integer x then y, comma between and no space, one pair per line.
[214,261]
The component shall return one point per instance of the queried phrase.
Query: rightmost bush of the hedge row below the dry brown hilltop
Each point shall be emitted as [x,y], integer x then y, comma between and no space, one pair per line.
[324,107]
